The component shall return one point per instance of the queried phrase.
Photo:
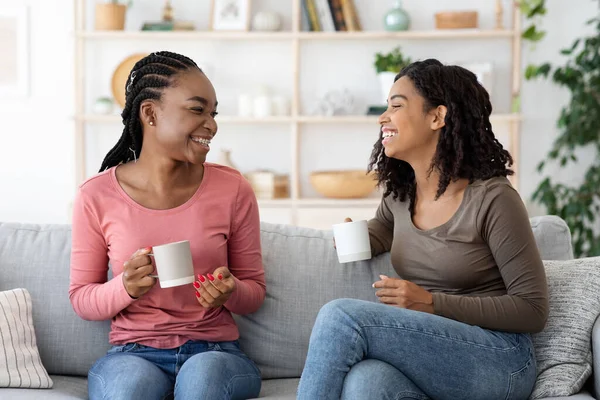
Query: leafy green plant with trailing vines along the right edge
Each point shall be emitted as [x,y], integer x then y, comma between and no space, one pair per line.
[579,128]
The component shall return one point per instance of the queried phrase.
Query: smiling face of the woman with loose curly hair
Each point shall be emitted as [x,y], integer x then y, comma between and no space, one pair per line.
[410,126]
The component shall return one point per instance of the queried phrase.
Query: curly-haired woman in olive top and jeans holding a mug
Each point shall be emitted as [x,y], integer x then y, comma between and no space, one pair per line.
[456,324]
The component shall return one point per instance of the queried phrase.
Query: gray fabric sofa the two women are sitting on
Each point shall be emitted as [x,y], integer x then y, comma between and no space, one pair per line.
[302,274]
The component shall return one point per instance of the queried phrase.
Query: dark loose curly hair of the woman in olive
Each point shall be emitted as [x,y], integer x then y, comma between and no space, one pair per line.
[467,147]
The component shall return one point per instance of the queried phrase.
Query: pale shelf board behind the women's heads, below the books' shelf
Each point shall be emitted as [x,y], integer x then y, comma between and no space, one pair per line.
[337,119]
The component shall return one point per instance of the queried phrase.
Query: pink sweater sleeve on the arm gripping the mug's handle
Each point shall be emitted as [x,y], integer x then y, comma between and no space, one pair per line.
[91,295]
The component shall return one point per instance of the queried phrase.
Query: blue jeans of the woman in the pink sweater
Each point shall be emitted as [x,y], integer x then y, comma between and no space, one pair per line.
[195,370]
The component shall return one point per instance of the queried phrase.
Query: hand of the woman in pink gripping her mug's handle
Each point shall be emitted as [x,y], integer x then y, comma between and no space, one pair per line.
[136,274]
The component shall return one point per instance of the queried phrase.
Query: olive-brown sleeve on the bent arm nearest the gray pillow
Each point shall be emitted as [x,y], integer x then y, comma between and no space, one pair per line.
[504,224]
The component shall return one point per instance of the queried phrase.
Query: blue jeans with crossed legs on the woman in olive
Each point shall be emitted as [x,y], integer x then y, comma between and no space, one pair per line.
[364,350]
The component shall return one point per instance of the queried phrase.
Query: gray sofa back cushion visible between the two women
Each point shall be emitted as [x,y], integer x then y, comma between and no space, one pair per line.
[302,274]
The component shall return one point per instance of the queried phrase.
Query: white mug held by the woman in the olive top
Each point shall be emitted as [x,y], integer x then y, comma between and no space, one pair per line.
[352,241]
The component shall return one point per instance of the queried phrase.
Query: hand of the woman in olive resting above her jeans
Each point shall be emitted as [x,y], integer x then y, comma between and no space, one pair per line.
[404,294]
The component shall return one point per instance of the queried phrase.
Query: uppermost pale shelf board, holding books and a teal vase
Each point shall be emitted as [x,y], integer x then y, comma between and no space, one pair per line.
[304,36]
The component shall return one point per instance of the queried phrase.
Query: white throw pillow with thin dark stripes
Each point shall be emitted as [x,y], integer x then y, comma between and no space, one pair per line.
[20,362]
